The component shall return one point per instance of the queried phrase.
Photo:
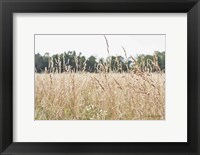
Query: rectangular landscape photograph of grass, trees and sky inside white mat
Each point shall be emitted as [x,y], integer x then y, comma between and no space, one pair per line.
[99,76]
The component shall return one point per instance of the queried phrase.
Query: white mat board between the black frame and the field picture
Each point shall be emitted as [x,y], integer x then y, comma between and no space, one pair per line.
[173,129]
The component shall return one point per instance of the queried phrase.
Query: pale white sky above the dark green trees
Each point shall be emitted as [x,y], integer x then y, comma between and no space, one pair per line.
[96,44]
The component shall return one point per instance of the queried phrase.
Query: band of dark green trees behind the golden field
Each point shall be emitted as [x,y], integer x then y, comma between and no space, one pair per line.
[71,61]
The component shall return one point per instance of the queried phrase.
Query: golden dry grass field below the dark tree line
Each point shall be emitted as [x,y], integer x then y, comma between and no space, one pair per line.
[100,96]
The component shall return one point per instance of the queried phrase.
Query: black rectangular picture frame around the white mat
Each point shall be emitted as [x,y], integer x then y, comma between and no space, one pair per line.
[8,7]
